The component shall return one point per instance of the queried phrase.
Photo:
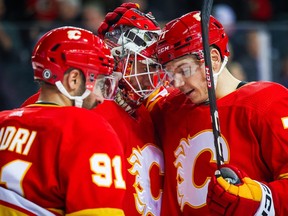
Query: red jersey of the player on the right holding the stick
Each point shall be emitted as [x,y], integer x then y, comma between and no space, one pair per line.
[254,128]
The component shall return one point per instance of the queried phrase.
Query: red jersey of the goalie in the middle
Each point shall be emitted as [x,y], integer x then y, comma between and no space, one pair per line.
[144,159]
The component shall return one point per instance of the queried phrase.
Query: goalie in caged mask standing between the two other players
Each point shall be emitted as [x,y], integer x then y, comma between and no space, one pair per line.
[132,37]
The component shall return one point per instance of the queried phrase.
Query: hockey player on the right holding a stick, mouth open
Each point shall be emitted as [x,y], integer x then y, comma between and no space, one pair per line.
[253,120]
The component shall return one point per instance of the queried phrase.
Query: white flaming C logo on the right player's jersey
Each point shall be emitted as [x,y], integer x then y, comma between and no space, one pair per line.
[186,154]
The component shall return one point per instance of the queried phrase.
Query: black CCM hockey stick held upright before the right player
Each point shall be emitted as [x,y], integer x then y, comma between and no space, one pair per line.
[205,18]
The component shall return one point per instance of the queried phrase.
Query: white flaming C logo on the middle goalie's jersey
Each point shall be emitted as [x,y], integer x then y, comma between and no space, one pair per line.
[142,161]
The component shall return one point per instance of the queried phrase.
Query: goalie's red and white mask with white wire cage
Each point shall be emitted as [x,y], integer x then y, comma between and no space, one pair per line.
[133,41]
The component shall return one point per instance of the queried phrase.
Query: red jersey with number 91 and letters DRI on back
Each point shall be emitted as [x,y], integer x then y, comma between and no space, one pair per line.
[64,159]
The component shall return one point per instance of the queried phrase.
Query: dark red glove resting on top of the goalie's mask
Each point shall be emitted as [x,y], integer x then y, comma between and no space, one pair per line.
[113,17]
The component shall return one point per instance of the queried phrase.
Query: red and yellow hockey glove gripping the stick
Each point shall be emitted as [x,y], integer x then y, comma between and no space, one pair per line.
[232,192]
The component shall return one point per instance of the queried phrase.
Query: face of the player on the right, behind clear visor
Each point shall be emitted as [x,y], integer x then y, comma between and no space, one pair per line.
[188,75]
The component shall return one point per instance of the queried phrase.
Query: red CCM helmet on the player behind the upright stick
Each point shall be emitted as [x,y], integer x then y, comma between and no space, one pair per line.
[183,36]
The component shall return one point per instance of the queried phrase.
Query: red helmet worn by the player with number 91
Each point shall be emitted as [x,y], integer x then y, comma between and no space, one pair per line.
[70,47]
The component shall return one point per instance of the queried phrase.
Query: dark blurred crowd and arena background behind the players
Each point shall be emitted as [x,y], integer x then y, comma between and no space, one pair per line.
[258,32]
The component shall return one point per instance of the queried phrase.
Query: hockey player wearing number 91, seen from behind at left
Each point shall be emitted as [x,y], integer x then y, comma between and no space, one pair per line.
[58,158]
